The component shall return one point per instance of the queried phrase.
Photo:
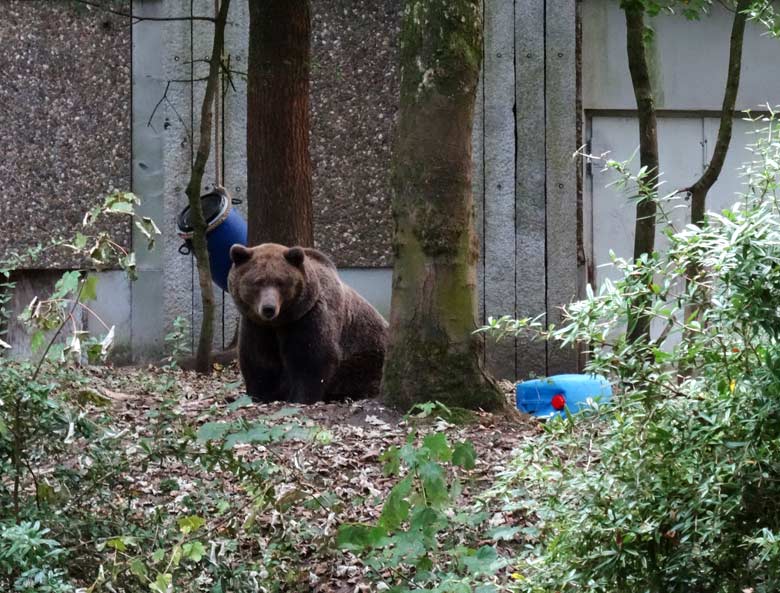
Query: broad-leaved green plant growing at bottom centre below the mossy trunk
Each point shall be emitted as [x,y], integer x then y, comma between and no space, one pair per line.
[422,540]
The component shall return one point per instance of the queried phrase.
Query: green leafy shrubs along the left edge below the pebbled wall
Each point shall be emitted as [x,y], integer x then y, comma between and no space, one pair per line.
[38,426]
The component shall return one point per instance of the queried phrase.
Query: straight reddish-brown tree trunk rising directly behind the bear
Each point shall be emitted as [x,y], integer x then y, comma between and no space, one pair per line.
[278,163]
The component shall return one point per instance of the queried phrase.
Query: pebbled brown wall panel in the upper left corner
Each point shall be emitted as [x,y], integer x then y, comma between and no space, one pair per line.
[64,121]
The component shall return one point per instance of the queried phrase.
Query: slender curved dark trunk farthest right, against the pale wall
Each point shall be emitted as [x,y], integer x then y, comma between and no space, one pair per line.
[703,185]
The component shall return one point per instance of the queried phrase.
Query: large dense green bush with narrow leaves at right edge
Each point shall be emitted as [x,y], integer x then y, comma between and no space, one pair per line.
[674,486]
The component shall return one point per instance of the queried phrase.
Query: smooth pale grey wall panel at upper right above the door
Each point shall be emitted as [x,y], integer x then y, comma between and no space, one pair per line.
[689,60]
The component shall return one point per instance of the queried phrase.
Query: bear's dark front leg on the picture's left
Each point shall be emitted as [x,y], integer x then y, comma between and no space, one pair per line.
[261,364]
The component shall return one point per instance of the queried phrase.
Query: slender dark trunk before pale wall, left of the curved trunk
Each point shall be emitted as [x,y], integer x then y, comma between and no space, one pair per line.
[644,230]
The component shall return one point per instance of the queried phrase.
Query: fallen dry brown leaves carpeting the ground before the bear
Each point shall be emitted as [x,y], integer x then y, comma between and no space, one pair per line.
[344,464]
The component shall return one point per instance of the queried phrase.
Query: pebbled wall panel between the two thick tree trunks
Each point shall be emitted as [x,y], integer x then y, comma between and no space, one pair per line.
[354,97]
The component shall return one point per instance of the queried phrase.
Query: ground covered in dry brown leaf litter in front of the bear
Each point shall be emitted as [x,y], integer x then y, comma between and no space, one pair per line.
[319,483]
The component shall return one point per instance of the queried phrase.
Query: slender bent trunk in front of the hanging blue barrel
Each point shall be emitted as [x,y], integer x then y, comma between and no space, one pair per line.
[205,339]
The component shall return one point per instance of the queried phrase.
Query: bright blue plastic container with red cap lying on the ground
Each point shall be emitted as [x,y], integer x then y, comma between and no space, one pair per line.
[550,396]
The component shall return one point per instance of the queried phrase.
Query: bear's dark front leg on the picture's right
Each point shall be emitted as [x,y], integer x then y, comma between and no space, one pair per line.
[310,355]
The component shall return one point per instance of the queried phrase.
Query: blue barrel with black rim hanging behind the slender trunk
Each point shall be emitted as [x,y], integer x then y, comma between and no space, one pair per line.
[225,228]
